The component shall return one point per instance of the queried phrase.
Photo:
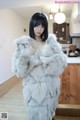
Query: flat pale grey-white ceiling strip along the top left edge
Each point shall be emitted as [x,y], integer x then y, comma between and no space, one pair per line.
[23,3]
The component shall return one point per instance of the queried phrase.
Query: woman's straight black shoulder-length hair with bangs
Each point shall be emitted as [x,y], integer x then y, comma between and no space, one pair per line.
[38,19]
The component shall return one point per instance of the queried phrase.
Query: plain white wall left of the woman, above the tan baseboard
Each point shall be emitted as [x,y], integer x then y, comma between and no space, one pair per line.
[11,27]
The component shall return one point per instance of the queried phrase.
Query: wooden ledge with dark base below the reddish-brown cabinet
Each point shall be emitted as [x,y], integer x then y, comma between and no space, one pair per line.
[68,110]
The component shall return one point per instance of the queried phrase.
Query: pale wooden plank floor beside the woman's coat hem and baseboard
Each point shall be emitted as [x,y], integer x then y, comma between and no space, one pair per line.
[13,103]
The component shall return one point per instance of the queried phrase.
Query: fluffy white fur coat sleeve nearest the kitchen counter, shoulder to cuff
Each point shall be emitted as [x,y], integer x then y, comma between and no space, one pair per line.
[53,57]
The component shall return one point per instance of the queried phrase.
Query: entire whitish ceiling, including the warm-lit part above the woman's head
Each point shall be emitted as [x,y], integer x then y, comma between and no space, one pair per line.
[26,8]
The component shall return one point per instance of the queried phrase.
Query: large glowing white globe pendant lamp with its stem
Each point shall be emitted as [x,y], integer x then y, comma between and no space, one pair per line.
[59,17]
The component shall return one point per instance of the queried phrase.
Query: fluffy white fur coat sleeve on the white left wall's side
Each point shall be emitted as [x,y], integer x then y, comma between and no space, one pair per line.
[22,55]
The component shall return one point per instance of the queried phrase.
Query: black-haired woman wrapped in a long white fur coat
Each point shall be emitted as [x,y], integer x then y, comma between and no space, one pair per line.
[39,60]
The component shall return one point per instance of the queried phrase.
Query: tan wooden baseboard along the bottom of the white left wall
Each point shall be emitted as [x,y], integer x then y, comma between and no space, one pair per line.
[7,85]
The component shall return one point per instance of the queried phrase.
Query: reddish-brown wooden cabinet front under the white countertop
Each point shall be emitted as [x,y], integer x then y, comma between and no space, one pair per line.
[70,85]
